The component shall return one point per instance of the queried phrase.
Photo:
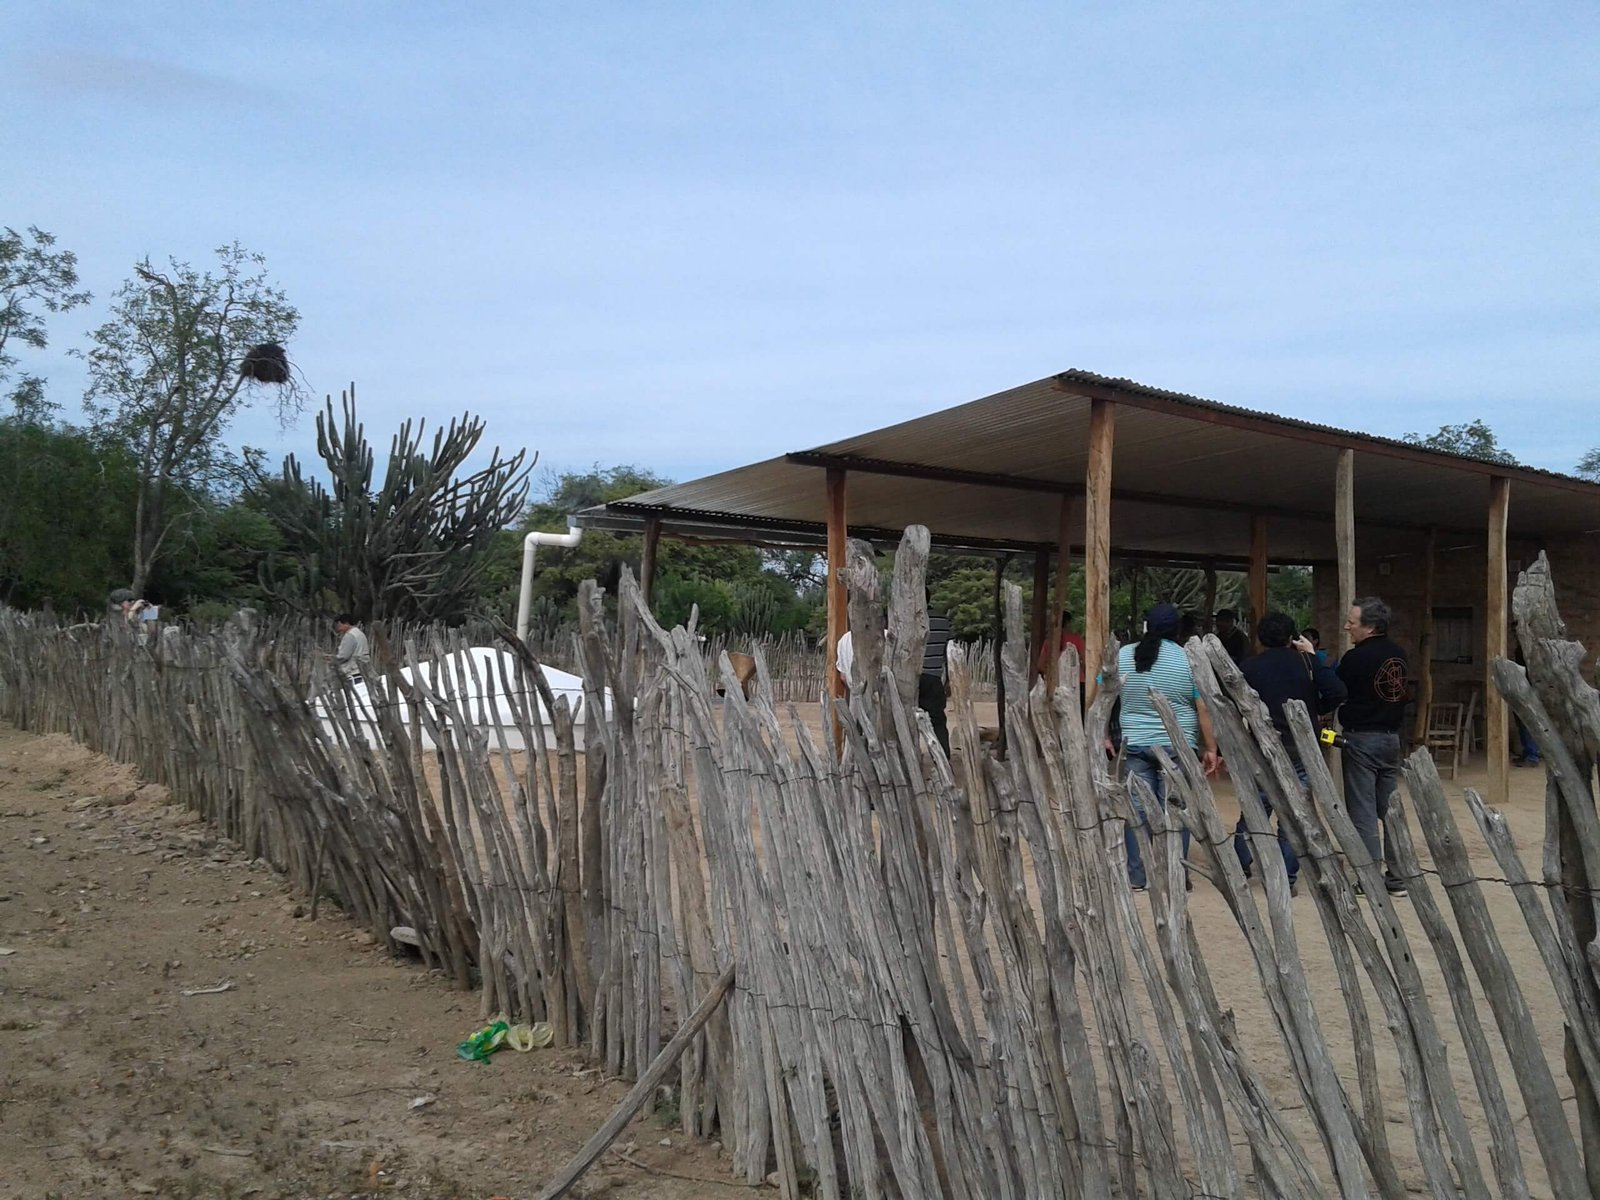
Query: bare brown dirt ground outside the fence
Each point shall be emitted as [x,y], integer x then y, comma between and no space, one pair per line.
[305,1079]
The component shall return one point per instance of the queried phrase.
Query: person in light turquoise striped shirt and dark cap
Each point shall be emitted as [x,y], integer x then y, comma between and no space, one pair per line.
[1158,666]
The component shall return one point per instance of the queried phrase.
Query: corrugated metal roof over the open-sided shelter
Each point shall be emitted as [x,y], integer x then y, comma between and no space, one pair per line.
[1186,476]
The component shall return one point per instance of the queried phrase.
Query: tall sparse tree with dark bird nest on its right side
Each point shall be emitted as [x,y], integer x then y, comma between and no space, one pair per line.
[166,377]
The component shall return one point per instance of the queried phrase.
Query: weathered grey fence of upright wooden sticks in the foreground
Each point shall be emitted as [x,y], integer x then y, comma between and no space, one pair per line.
[943,985]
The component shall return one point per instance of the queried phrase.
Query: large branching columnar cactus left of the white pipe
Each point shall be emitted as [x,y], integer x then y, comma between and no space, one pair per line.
[412,548]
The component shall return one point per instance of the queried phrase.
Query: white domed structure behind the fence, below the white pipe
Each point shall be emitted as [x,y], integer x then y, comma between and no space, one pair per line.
[486,684]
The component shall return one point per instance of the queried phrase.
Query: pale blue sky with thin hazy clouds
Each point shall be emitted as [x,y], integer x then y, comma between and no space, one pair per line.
[694,236]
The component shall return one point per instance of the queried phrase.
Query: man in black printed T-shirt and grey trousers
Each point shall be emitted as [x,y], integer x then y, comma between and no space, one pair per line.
[1375,676]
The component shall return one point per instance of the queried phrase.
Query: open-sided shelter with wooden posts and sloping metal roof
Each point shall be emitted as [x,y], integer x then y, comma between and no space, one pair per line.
[1086,466]
